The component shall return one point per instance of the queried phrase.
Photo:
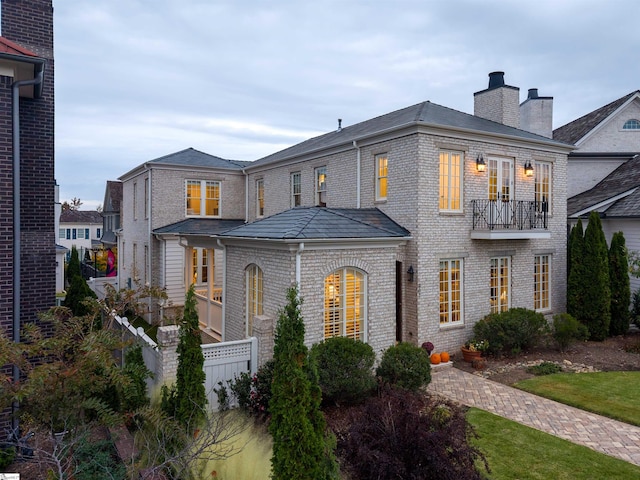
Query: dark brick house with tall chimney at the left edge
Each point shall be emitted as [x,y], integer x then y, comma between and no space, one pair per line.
[27,219]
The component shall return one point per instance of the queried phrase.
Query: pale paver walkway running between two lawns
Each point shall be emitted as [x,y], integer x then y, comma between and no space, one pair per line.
[594,431]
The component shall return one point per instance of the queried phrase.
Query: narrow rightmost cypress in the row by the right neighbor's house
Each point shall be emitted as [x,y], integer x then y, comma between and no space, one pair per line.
[620,287]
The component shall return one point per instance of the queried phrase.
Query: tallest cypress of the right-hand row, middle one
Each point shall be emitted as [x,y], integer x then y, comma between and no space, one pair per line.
[596,314]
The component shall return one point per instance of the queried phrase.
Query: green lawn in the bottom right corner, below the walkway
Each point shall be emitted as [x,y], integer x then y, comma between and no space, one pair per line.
[515,451]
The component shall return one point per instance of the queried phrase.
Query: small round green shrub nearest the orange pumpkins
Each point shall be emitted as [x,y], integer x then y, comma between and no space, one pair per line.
[406,366]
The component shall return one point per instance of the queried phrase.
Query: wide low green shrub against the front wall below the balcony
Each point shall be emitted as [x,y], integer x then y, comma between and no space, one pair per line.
[511,331]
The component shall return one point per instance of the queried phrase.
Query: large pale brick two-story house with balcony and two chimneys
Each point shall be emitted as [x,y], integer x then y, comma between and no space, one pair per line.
[410,226]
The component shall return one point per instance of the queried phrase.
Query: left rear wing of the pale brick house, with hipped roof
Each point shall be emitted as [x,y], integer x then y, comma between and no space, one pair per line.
[189,186]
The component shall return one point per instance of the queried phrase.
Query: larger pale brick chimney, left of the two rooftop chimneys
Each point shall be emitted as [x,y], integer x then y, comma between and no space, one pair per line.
[499,102]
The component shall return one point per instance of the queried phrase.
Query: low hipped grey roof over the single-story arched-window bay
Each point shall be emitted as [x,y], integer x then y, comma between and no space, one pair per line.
[322,223]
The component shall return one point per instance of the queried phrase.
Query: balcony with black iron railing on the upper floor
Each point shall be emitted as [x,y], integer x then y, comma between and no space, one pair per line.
[509,219]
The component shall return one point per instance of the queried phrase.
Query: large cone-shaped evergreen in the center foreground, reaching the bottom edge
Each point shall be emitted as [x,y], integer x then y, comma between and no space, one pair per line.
[302,448]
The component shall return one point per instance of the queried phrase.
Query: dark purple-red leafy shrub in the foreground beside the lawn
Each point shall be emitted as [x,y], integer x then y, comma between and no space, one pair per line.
[407,435]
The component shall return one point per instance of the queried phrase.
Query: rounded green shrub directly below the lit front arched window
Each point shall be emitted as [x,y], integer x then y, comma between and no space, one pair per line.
[345,369]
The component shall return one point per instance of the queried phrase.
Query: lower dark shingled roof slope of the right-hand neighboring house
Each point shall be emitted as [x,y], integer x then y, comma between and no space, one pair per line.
[623,179]
